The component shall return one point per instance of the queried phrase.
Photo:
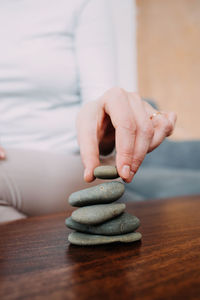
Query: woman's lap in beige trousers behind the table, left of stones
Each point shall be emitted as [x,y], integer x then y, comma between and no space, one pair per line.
[34,182]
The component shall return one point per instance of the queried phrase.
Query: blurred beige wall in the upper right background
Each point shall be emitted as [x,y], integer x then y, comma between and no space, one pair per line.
[169,59]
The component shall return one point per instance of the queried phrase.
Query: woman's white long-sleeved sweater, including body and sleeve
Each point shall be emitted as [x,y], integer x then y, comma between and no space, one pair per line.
[54,55]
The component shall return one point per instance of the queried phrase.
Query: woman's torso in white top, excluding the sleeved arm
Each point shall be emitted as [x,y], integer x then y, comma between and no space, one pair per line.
[39,93]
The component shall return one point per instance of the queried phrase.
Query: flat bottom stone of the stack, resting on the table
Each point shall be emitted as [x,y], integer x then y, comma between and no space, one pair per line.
[83,239]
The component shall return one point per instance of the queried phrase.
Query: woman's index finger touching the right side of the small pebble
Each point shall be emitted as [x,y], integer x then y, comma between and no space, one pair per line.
[118,108]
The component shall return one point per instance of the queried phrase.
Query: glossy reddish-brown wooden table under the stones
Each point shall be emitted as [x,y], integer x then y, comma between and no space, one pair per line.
[37,262]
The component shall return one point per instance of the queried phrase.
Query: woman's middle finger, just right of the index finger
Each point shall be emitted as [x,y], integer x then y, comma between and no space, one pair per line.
[144,133]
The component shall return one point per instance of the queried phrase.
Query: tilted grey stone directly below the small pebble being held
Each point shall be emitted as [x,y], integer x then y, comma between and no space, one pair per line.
[100,194]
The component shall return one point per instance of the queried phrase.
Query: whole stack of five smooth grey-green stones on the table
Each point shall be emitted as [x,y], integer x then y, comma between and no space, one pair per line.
[98,220]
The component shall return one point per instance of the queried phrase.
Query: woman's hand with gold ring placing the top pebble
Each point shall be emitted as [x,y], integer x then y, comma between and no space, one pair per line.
[123,120]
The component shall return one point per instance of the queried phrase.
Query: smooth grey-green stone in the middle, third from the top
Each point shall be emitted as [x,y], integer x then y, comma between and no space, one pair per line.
[96,214]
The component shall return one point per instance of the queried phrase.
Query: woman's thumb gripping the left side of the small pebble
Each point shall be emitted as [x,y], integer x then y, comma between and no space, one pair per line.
[88,142]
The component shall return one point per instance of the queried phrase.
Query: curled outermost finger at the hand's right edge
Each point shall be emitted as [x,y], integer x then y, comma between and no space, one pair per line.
[163,127]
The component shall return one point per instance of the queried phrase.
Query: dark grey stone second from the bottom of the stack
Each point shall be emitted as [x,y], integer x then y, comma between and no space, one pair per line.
[122,224]
